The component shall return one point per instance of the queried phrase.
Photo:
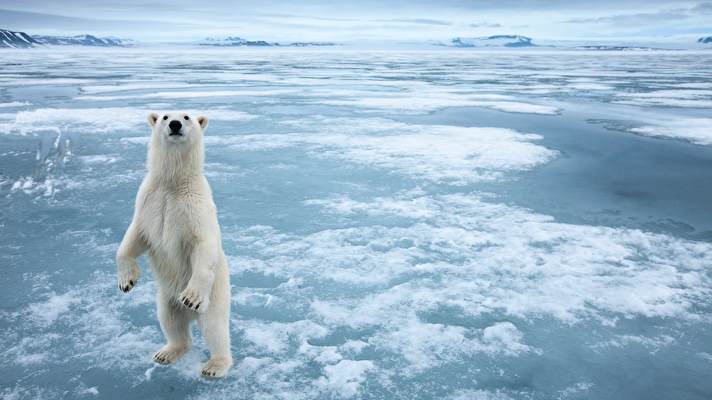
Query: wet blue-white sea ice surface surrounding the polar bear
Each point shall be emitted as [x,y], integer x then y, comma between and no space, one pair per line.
[399,225]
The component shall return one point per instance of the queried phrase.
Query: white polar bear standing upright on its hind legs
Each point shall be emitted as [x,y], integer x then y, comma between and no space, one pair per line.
[175,221]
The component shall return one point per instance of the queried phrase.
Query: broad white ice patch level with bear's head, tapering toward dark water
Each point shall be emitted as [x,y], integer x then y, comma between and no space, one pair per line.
[435,152]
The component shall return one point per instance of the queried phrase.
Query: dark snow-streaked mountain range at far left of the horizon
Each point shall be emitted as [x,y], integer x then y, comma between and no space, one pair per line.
[12,39]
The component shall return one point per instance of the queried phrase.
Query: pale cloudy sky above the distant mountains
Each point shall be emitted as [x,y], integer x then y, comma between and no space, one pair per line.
[364,20]
